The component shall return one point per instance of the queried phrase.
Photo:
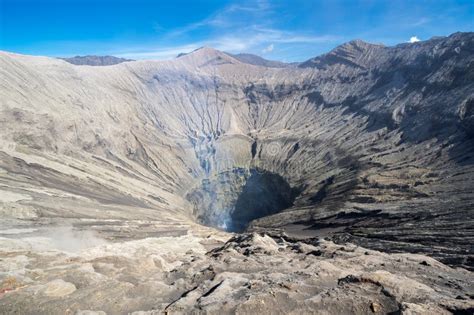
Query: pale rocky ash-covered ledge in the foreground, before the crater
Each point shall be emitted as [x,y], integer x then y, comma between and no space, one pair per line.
[212,272]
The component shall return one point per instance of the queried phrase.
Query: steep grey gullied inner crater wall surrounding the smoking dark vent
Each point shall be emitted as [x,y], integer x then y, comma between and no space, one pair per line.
[367,143]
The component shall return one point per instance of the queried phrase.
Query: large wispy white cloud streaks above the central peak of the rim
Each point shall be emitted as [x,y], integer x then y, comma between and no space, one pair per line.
[220,26]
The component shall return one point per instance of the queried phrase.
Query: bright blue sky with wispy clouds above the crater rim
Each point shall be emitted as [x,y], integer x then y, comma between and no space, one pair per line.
[282,30]
